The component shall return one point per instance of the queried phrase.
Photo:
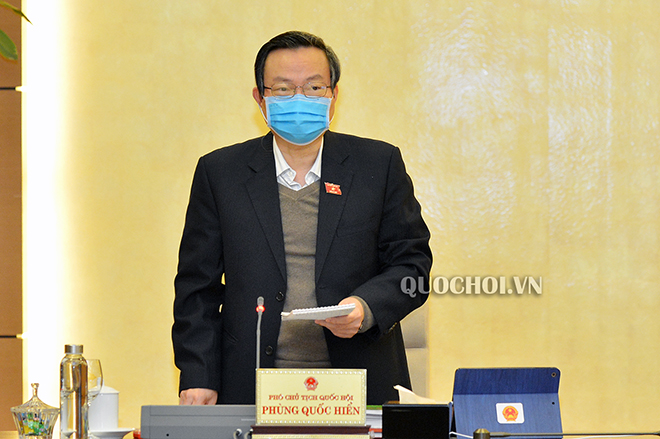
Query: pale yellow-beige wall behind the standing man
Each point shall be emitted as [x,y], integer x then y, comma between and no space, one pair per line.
[531,130]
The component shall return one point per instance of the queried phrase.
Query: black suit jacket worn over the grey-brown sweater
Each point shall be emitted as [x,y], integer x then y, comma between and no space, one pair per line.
[369,238]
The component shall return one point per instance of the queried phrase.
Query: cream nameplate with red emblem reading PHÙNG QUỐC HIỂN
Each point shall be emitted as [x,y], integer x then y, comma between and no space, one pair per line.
[311,396]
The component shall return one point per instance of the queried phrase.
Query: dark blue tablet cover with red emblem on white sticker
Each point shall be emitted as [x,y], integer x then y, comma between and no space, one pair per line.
[510,400]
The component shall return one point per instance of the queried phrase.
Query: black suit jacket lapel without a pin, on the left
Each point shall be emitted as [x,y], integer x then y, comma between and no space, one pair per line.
[263,192]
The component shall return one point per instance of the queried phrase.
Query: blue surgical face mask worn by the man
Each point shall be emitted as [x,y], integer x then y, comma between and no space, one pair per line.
[299,120]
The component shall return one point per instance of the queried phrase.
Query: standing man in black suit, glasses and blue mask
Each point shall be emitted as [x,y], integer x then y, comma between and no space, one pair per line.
[303,217]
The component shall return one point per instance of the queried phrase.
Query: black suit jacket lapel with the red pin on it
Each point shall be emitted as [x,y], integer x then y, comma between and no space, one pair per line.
[331,205]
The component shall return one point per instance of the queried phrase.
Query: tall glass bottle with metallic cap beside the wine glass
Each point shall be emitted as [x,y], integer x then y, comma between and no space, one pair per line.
[73,394]
